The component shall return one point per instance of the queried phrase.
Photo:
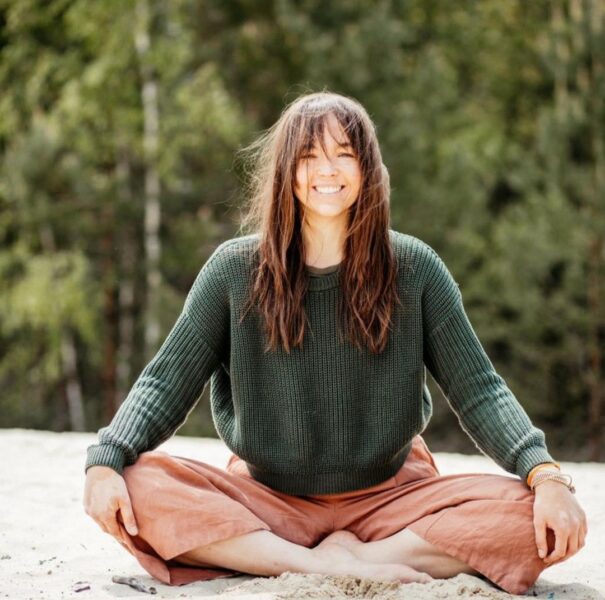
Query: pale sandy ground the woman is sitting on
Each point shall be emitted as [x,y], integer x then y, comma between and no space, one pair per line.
[48,544]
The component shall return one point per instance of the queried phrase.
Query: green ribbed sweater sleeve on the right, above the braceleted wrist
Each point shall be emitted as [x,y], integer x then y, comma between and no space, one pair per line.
[485,407]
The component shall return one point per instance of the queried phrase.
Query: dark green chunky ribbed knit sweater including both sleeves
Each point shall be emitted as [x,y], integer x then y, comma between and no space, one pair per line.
[326,418]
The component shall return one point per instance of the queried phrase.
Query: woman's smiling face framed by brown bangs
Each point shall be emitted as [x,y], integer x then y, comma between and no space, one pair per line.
[328,183]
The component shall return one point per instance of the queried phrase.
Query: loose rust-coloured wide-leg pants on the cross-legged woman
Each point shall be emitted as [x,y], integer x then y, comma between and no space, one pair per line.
[179,504]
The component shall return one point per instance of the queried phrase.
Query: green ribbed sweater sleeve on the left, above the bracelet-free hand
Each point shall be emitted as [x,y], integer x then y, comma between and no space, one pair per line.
[171,384]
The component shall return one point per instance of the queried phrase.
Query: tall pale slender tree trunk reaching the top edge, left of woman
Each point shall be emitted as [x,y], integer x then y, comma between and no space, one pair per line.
[149,97]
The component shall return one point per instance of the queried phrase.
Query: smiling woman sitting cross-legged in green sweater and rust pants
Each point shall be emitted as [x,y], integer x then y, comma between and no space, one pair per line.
[315,332]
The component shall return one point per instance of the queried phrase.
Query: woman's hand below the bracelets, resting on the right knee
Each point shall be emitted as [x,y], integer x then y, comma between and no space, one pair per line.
[556,508]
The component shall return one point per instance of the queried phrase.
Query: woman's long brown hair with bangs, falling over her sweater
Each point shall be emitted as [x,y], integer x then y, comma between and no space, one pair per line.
[369,269]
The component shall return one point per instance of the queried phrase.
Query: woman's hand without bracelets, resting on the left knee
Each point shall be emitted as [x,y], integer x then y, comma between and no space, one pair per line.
[105,493]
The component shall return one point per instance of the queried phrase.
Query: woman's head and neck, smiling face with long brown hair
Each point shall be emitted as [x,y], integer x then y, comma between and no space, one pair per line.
[322,142]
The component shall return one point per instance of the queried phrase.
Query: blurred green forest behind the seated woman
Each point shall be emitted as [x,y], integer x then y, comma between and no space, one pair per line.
[120,122]
